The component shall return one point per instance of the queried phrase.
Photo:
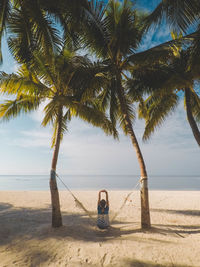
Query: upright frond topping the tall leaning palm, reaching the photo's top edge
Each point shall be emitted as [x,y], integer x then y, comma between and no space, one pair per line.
[124,26]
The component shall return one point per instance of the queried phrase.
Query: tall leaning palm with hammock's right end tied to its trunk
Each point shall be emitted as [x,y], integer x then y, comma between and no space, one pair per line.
[114,39]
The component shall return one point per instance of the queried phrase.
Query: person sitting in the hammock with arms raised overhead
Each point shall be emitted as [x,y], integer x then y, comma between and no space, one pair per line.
[103,211]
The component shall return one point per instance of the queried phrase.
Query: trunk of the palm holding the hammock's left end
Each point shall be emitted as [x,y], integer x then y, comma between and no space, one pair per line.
[55,202]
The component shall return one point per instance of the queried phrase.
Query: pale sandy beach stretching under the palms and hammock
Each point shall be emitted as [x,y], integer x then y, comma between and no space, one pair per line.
[26,238]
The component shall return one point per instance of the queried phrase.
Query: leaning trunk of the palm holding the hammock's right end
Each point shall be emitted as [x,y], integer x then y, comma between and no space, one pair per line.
[145,214]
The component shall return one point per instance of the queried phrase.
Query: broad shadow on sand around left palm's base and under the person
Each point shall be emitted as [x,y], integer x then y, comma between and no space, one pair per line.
[36,223]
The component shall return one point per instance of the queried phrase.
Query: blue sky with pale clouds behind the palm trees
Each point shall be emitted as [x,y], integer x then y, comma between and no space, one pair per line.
[25,144]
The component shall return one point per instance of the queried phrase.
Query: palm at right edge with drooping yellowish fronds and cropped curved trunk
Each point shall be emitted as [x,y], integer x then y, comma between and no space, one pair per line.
[164,83]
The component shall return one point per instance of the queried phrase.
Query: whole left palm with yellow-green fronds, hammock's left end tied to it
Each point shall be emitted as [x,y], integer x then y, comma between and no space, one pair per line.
[67,83]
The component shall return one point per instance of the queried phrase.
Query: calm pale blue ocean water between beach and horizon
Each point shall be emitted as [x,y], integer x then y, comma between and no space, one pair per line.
[97,182]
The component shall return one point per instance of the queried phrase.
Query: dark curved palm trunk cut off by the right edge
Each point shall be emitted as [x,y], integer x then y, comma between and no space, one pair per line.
[190,117]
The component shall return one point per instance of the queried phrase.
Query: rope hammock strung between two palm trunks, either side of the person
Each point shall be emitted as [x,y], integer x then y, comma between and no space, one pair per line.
[81,206]
